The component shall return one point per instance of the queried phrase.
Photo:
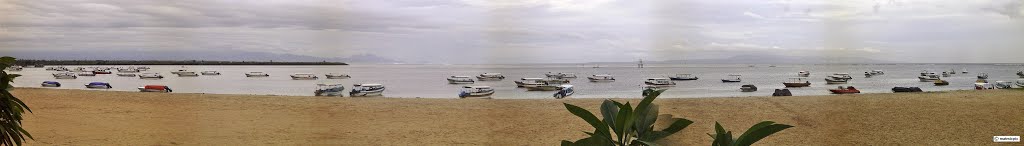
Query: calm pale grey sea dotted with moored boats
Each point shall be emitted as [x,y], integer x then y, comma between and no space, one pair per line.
[429,81]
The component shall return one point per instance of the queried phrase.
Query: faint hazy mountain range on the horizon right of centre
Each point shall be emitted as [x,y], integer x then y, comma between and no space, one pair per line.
[771,60]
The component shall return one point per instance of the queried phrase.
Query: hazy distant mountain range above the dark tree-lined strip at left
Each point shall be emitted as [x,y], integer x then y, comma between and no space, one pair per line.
[183,56]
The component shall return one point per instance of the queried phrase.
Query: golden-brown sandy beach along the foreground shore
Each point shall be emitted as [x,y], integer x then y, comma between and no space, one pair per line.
[102,118]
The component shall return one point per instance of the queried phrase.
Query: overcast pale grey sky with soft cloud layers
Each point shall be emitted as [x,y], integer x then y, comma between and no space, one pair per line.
[529,31]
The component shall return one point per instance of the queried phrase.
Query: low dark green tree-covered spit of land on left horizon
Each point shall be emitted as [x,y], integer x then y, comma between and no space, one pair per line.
[169,63]
